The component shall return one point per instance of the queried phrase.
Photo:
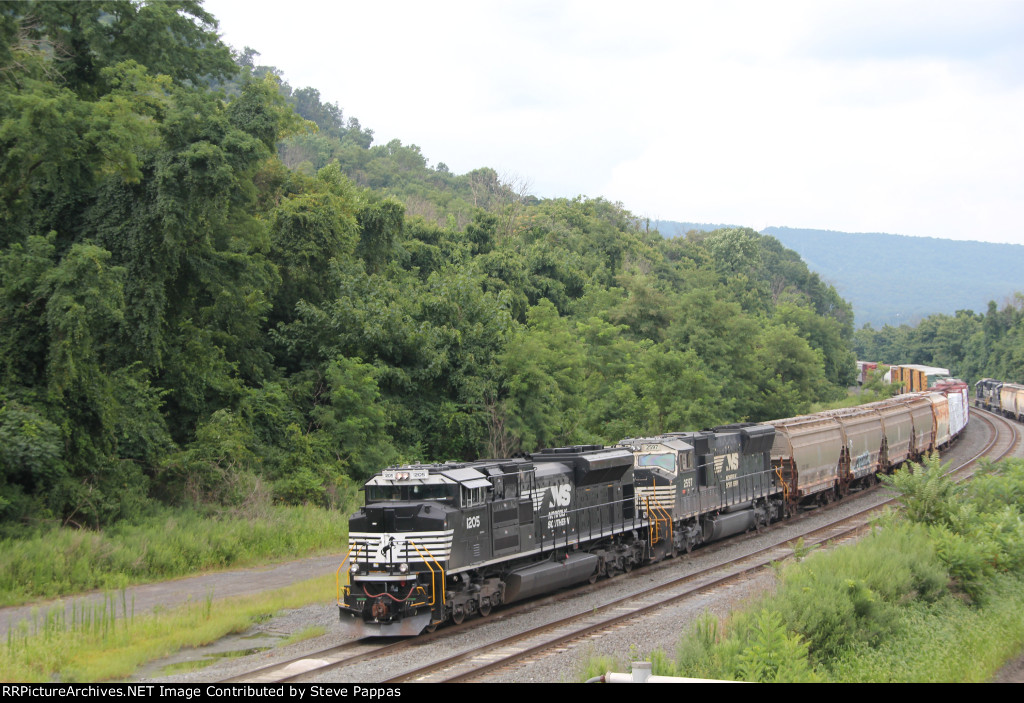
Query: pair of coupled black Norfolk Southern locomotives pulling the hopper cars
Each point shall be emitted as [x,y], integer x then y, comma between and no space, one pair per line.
[447,542]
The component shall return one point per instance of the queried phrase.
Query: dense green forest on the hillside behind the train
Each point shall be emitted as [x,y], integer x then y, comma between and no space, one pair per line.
[217,290]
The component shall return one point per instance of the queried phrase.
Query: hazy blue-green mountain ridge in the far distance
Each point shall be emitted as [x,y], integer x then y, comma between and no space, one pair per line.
[893,279]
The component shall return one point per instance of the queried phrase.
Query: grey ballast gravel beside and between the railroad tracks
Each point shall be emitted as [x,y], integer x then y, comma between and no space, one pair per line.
[625,644]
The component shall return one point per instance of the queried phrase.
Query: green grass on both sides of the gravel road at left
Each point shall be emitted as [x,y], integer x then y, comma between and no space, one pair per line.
[111,641]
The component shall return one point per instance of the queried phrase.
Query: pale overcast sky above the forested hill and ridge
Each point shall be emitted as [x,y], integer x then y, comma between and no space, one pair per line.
[893,117]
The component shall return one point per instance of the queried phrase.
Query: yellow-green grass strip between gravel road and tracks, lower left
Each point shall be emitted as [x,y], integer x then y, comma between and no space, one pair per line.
[111,643]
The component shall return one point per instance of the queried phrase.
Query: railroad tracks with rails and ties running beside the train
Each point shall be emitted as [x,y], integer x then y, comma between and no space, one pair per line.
[515,650]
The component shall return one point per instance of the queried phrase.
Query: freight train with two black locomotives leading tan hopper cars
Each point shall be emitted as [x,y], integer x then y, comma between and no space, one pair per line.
[447,542]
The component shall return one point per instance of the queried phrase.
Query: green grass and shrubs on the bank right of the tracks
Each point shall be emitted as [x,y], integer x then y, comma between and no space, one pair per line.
[935,594]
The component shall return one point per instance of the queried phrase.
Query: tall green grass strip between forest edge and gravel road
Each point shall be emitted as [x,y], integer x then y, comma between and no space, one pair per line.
[59,562]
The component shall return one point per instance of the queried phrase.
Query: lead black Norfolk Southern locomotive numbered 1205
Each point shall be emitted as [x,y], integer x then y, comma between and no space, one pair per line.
[446,542]
